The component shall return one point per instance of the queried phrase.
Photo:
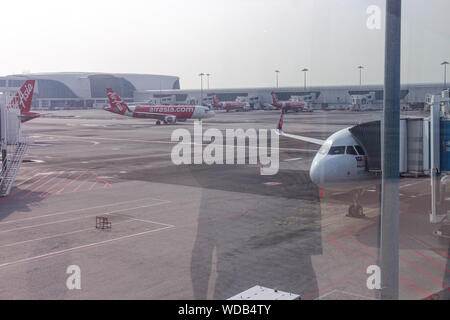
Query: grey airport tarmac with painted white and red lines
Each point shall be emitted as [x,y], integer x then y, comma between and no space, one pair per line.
[198,231]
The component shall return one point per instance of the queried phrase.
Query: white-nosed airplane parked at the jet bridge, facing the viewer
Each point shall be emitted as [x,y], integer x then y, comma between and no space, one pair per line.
[339,165]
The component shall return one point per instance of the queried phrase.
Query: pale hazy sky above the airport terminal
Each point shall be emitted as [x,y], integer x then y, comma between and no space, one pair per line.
[239,42]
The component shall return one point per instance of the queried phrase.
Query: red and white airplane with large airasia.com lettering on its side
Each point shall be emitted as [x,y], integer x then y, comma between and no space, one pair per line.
[162,113]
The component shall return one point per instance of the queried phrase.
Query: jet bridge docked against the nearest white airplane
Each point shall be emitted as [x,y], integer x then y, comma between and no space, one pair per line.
[424,150]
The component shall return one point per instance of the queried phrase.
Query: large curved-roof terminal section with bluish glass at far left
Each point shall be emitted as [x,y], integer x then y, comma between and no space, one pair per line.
[84,89]
